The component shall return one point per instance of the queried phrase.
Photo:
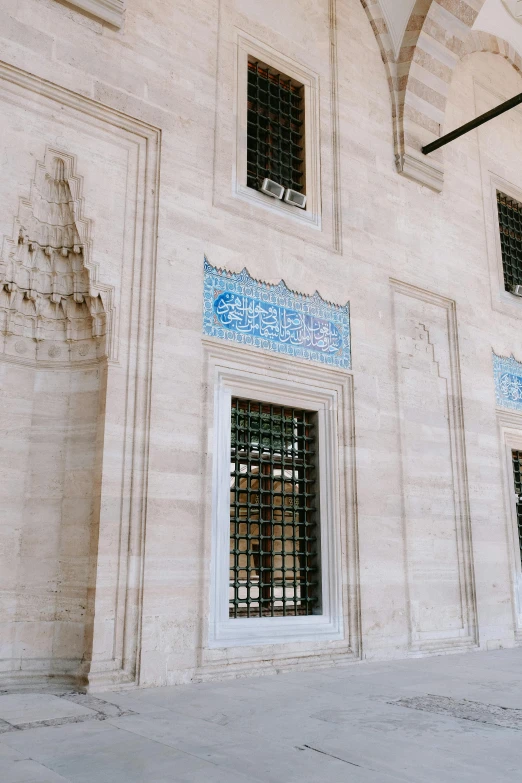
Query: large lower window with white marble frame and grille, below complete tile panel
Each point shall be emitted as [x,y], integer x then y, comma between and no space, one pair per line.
[276,566]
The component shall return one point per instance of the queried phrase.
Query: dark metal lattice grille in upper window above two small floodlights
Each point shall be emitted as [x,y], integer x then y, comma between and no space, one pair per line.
[275,135]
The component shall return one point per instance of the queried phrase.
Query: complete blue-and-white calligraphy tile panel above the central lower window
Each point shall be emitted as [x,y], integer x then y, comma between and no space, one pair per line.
[238,308]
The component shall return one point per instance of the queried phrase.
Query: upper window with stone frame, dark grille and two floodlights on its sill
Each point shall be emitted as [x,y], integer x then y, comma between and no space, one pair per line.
[276,148]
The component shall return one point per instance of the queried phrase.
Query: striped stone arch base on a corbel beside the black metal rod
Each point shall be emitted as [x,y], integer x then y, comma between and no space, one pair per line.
[436,38]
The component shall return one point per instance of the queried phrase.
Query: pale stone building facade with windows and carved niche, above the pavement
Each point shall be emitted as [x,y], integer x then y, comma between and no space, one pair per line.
[155,304]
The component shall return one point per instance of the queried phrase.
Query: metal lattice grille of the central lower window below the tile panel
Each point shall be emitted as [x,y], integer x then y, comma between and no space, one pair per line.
[274,568]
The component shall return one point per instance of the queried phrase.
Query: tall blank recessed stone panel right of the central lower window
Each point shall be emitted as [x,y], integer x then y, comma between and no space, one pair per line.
[437,531]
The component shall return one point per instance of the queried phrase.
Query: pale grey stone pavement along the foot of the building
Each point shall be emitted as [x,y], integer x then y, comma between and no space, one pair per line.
[447,719]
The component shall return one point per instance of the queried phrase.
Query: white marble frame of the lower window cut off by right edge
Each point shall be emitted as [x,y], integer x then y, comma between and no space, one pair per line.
[510,426]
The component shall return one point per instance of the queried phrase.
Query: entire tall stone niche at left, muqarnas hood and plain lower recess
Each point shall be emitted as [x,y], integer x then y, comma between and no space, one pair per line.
[52,368]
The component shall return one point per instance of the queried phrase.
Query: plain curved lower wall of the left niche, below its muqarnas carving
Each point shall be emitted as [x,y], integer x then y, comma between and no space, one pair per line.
[49,431]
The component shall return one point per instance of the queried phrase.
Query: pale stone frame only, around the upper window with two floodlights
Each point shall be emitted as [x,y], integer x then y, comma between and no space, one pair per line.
[247,46]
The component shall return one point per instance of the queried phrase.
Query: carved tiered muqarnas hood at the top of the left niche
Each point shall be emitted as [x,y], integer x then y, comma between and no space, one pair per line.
[46,292]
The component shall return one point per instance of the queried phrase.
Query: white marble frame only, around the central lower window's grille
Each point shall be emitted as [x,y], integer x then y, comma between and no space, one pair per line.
[296,390]
